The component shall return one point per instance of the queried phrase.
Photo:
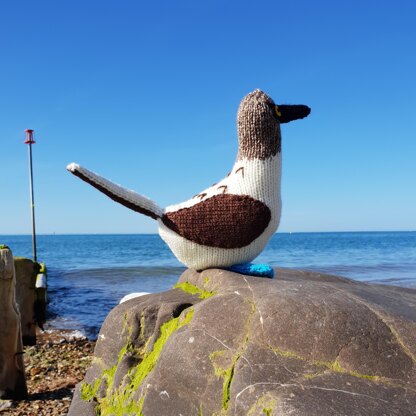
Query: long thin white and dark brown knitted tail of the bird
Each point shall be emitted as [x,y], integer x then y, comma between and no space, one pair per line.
[129,199]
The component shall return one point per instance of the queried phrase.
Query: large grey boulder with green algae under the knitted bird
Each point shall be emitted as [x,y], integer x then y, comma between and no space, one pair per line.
[229,344]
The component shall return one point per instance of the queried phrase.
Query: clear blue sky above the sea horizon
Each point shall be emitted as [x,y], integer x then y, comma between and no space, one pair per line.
[146,94]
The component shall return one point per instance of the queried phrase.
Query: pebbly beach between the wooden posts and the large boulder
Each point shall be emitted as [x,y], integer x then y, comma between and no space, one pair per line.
[53,367]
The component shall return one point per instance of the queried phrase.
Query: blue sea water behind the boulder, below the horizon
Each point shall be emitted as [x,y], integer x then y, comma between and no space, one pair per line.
[89,274]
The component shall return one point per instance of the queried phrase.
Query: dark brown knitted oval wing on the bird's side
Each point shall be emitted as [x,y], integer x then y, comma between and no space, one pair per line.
[224,221]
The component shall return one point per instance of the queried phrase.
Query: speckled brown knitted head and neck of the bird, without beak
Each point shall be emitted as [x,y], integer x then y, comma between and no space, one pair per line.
[258,128]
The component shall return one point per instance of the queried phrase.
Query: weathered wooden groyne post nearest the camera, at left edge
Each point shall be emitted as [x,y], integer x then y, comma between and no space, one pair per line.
[12,377]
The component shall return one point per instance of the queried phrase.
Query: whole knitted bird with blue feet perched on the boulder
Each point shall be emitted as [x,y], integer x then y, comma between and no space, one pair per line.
[229,223]
